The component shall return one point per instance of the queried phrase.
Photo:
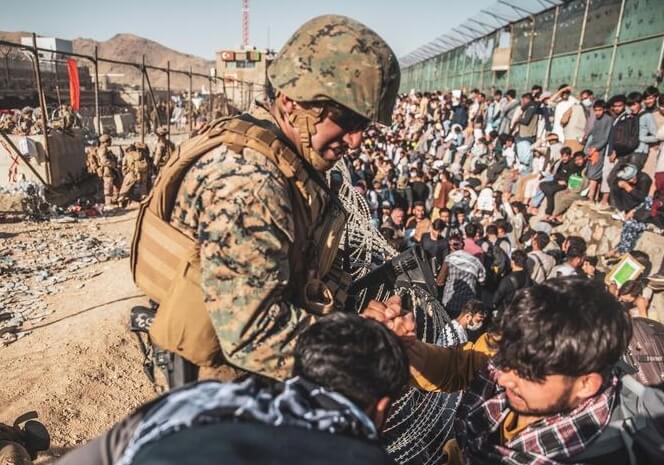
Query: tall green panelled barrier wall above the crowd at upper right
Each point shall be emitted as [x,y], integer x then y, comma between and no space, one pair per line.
[574,43]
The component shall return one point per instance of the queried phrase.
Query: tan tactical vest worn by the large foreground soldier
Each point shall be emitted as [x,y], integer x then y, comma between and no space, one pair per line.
[166,264]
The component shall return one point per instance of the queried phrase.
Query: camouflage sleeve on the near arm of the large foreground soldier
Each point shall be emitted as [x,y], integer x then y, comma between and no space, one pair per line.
[239,206]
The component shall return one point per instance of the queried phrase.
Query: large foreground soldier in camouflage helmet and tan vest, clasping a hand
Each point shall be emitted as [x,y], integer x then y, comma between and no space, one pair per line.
[255,227]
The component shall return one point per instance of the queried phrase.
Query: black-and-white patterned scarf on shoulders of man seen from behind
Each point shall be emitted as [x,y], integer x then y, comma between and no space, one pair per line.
[295,402]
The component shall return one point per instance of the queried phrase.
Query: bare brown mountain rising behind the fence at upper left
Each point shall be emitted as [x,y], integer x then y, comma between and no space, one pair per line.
[130,48]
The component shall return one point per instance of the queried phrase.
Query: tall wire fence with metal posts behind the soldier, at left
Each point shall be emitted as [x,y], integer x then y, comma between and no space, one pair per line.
[148,97]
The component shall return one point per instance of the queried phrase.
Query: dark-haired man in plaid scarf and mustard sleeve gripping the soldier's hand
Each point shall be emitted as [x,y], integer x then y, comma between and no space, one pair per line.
[549,389]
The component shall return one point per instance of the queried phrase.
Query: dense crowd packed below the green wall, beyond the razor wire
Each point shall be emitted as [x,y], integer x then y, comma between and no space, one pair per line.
[481,182]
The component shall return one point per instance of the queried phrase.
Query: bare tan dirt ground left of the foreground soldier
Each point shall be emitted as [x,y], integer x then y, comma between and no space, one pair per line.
[79,368]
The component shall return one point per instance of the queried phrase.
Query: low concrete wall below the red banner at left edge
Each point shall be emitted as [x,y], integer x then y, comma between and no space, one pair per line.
[67,158]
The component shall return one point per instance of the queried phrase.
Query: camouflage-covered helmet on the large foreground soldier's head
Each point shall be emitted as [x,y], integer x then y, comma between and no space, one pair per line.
[336,58]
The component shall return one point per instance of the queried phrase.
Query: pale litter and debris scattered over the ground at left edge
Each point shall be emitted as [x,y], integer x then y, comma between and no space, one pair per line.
[35,265]
